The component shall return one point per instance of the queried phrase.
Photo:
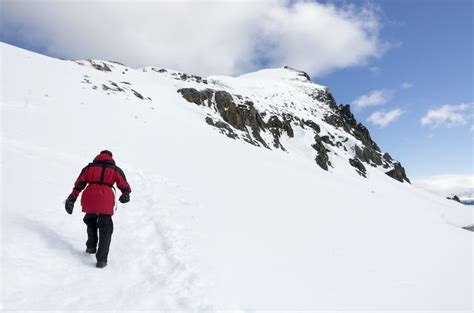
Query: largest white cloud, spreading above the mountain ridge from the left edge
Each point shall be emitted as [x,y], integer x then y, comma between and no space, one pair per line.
[200,37]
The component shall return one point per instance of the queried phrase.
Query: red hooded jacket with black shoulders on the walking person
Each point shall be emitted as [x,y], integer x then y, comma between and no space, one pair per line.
[99,177]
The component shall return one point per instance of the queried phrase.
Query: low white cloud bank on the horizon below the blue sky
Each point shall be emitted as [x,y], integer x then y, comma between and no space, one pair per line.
[445,185]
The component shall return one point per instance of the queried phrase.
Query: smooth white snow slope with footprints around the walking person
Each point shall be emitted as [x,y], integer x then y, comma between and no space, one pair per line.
[213,223]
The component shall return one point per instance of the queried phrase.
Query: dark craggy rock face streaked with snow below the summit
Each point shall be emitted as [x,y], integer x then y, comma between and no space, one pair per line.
[238,118]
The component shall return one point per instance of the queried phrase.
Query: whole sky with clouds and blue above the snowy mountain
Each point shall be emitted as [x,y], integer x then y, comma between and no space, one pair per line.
[406,67]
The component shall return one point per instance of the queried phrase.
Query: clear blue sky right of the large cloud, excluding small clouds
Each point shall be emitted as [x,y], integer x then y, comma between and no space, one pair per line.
[435,55]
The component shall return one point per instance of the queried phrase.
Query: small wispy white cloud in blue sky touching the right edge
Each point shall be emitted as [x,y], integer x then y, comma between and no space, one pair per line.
[448,115]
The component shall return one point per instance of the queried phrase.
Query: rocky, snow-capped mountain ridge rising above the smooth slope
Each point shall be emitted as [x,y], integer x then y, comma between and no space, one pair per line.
[264,108]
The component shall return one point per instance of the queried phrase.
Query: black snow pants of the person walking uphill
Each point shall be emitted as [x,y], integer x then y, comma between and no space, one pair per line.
[104,224]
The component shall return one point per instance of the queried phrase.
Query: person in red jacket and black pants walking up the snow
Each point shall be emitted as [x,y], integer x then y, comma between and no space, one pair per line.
[98,202]
